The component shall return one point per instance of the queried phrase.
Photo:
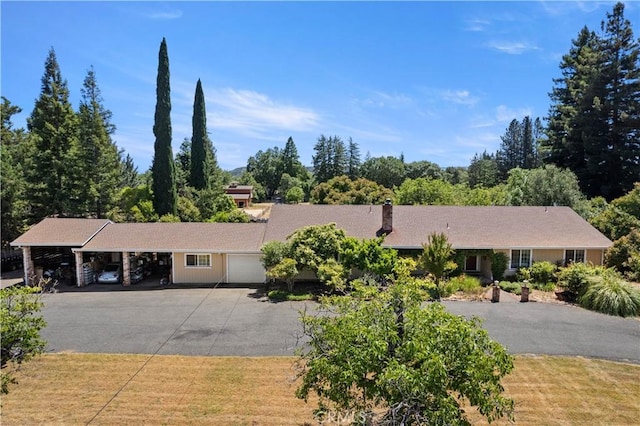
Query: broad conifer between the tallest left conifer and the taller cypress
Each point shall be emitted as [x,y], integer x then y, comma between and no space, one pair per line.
[100,173]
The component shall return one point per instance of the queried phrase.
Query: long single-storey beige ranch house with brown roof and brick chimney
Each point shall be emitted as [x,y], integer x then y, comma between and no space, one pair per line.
[230,252]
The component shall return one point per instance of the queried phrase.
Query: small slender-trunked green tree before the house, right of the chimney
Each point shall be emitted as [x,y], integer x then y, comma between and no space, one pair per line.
[437,259]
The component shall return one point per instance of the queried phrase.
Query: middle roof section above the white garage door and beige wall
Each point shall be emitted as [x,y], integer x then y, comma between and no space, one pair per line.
[179,237]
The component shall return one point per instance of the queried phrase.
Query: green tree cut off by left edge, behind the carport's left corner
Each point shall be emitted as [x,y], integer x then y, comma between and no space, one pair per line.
[14,148]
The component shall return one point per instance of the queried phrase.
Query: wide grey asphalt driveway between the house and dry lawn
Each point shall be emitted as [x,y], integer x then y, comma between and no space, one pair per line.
[240,322]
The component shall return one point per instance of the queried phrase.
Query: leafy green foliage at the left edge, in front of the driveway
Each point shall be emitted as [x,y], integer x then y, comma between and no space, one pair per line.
[20,326]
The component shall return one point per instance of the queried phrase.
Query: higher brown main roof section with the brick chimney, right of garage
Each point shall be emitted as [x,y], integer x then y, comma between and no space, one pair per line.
[466,227]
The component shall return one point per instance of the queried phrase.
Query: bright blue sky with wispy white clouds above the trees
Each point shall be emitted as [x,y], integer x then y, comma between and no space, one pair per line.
[436,81]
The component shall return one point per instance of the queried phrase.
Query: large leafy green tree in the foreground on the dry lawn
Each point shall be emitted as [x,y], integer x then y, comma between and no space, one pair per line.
[384,357]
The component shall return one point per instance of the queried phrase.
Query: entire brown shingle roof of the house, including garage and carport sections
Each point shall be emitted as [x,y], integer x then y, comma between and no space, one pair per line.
[495,227]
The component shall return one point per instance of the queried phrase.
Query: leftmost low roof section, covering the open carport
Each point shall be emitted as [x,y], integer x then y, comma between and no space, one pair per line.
[61,232]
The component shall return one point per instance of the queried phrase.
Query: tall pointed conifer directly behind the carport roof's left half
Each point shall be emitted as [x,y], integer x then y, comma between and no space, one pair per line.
[53,125]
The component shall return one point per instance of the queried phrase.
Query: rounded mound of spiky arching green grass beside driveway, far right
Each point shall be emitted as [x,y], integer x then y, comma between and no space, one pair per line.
[610,294]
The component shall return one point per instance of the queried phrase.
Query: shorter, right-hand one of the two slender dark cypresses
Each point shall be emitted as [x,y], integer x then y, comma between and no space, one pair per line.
[199,167]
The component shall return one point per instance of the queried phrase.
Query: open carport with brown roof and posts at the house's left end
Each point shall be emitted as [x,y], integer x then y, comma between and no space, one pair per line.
[51,243]
